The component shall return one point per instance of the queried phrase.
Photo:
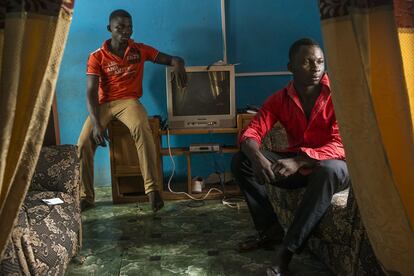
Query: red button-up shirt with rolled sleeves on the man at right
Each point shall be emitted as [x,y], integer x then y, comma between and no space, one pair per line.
[318,138]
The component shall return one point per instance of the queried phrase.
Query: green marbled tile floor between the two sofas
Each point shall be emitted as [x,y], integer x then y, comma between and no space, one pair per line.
[128,239]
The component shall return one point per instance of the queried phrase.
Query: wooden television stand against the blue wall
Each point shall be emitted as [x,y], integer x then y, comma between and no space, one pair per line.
[127,182]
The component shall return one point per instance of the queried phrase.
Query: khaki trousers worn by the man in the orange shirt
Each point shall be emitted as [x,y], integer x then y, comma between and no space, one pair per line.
[132,113]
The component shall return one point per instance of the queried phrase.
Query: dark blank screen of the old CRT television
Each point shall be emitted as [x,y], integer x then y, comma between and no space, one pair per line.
[207,93]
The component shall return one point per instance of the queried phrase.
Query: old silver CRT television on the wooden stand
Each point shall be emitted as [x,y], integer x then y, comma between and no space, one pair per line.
[208,101]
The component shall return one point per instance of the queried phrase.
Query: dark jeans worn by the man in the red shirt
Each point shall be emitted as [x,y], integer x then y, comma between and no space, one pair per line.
[327,178]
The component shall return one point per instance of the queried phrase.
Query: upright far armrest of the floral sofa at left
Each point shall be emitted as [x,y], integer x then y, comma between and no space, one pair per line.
[57,170]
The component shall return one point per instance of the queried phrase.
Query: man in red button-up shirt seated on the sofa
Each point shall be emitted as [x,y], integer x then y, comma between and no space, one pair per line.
[314,158]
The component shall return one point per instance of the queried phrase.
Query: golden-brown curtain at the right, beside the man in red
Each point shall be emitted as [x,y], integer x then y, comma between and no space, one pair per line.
[370,58]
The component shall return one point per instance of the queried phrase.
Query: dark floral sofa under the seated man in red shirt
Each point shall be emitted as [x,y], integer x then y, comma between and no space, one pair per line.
[340,239]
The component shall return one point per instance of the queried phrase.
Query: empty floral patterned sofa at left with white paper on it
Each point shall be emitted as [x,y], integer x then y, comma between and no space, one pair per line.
[45,237]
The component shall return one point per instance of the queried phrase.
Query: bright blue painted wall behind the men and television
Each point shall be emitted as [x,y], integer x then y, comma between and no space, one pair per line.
[258,37]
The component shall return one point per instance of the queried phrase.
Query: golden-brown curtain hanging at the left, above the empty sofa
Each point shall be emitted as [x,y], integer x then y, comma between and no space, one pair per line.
[32,38]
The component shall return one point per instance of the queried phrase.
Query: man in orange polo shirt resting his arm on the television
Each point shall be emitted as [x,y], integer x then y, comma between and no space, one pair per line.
[114,85]
